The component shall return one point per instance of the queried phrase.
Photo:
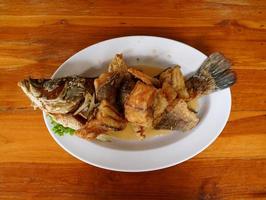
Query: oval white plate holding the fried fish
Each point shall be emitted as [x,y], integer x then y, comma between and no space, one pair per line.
[153,153]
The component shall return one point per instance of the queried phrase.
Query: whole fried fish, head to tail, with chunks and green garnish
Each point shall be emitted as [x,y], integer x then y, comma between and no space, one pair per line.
[94,107]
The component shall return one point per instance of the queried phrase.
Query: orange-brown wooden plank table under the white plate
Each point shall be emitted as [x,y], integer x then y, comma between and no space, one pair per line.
[36,37]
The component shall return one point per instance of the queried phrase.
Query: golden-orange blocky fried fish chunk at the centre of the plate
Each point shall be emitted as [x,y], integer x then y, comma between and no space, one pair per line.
[139,104]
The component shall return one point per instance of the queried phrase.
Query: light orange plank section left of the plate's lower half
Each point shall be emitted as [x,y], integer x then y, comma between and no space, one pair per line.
[24,138]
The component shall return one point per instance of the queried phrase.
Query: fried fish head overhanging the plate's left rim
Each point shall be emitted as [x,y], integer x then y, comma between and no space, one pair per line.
[61,95]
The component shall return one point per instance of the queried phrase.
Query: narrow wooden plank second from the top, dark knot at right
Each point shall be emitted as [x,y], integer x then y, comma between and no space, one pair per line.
[125,21]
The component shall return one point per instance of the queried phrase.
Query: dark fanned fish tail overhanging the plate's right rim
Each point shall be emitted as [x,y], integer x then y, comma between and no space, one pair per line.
[214,74]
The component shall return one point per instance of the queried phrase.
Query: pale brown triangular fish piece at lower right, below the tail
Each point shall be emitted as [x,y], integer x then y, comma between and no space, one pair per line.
[176,116]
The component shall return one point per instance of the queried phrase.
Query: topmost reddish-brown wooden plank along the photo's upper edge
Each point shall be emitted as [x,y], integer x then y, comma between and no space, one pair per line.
[137,8]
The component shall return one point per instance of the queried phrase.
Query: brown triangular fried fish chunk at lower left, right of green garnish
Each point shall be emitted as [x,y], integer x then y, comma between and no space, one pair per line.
[105,118]
